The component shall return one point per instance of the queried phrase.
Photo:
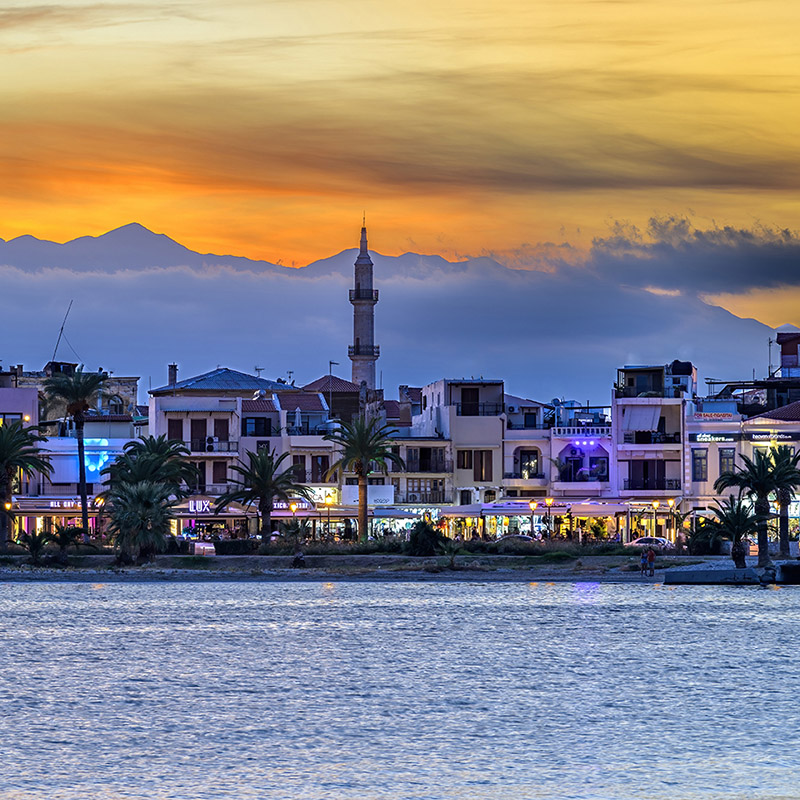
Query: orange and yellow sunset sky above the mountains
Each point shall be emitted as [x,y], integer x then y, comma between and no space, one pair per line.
[264,128]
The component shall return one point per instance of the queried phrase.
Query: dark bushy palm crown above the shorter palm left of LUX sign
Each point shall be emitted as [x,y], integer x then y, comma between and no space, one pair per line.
[155,459]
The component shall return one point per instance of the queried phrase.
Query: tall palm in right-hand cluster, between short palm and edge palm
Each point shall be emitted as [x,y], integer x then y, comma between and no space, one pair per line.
[759,478]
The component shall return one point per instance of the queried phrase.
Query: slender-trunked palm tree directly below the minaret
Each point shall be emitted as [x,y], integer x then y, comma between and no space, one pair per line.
[364,446]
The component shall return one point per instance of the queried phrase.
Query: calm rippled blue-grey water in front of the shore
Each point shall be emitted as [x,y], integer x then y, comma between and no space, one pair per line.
[398,691]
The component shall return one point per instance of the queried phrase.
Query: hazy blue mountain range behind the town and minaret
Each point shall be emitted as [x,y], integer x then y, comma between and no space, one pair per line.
[142,299]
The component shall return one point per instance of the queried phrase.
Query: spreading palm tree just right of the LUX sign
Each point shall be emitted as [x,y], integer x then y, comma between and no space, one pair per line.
[261,483]
